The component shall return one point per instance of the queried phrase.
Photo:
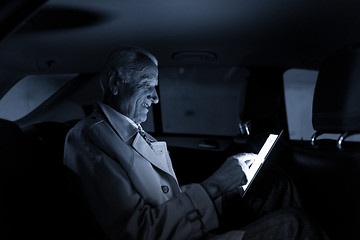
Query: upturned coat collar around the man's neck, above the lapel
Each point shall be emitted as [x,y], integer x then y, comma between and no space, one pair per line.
[124,126]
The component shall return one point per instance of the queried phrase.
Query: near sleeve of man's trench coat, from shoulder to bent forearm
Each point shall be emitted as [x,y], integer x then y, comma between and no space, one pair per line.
[122,212]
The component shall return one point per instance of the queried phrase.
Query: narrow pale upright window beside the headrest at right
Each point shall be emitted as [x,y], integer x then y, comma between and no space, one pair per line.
[299,85]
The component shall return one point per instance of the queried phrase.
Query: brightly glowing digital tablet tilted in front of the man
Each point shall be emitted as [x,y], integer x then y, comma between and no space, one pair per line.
[260,159]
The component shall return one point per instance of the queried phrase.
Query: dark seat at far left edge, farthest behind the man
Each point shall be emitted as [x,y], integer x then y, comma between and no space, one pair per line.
[14,171]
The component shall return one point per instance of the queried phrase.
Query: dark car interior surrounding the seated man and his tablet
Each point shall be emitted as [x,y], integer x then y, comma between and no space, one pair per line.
[230,73]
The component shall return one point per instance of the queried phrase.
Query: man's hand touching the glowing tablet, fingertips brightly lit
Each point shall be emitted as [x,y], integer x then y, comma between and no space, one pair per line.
[230,175]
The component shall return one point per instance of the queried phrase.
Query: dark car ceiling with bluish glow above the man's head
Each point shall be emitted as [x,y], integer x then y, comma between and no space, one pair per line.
[75,36]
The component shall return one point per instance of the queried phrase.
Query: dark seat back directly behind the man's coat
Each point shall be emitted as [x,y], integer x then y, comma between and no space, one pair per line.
[59,201]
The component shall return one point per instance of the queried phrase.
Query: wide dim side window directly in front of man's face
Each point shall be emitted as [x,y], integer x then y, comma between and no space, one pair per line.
[202,100]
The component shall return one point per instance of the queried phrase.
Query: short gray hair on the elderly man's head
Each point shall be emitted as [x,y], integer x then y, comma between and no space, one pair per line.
[123,62]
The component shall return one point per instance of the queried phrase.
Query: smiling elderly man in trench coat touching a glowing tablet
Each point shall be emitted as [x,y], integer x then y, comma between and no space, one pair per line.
[127,176]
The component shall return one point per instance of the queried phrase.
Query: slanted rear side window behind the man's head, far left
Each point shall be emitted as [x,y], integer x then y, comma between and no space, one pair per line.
[29,92]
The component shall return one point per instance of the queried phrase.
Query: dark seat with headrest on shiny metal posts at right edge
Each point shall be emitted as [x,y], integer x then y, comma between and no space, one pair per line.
[327,170]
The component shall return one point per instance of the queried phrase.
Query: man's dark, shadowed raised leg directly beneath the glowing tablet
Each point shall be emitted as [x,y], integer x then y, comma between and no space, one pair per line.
[274,190]
